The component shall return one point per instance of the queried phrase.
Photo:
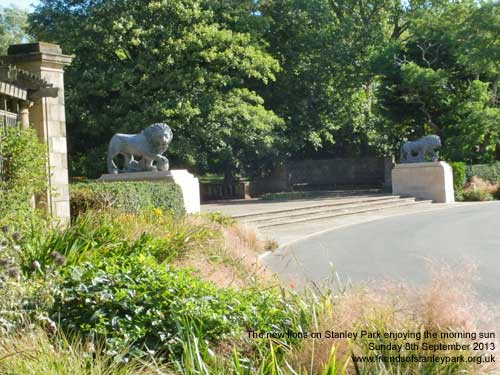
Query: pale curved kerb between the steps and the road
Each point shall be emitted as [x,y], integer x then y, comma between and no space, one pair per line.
[438,206]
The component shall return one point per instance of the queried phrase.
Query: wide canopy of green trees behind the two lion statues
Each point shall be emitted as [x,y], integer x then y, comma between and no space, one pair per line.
[246,83]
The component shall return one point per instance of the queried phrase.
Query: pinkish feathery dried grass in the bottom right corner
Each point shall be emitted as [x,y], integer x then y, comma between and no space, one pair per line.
[447,303]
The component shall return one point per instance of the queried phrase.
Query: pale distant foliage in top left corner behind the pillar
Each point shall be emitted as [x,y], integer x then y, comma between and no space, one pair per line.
[13,27]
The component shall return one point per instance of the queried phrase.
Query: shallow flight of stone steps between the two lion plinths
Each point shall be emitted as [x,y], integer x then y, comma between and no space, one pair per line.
[339,205]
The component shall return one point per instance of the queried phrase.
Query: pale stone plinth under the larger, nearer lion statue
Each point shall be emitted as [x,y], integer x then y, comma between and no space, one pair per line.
[189,184]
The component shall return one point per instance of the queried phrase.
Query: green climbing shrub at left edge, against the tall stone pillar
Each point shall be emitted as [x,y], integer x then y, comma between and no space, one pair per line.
[24,170]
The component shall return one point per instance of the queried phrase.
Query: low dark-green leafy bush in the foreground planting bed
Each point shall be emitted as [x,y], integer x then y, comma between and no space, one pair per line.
[132,301]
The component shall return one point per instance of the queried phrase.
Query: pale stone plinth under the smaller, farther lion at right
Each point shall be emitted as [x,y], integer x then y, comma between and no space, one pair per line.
[433,181]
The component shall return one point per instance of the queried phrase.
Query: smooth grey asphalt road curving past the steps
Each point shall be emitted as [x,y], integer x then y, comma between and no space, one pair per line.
[401,249]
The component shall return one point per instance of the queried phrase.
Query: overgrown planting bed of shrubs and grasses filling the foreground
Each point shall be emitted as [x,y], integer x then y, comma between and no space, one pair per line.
[153,292]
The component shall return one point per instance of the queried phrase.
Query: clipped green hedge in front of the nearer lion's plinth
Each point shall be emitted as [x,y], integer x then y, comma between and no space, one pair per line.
[127,196]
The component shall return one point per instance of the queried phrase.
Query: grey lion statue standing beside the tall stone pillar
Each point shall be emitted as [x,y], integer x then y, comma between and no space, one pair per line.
[140,151]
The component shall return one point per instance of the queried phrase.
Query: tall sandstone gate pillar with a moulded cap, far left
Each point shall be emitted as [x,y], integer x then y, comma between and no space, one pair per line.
[47,116]
